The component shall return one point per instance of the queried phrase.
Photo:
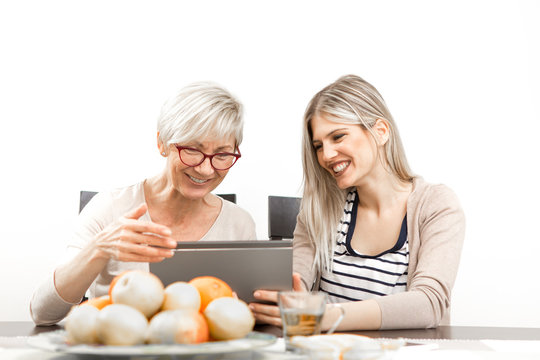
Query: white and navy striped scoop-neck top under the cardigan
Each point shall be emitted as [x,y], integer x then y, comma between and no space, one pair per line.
[360,277]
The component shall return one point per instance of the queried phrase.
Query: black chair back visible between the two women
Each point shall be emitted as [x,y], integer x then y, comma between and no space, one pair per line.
[282,213]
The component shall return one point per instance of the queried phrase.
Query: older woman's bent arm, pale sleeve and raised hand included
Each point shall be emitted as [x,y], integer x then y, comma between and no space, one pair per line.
[125,239]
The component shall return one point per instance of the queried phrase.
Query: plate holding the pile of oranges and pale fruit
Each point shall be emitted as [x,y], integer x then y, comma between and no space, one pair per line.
[56,341]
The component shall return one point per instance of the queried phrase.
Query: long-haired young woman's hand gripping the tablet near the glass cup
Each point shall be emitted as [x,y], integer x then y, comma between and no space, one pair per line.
[269,313]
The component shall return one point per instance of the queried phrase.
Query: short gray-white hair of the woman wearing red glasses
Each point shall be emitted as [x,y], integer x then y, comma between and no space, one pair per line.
[202,109]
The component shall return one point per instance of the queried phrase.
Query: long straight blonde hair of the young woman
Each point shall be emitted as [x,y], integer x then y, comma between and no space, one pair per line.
[349,100]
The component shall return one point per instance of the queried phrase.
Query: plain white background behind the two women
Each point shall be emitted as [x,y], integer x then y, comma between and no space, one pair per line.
[81,85]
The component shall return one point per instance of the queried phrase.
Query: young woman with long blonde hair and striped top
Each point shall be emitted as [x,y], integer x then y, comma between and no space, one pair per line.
[379,240]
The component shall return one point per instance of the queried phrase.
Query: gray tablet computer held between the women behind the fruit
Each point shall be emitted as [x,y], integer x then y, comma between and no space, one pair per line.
[245,265]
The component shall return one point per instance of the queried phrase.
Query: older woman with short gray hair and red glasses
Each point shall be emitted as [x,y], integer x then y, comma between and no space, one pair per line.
[199,133]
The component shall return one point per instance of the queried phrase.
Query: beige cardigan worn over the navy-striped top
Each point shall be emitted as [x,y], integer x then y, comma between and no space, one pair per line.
[435,229]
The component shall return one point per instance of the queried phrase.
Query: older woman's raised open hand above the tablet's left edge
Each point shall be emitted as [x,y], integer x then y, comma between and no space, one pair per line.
[131,239]
